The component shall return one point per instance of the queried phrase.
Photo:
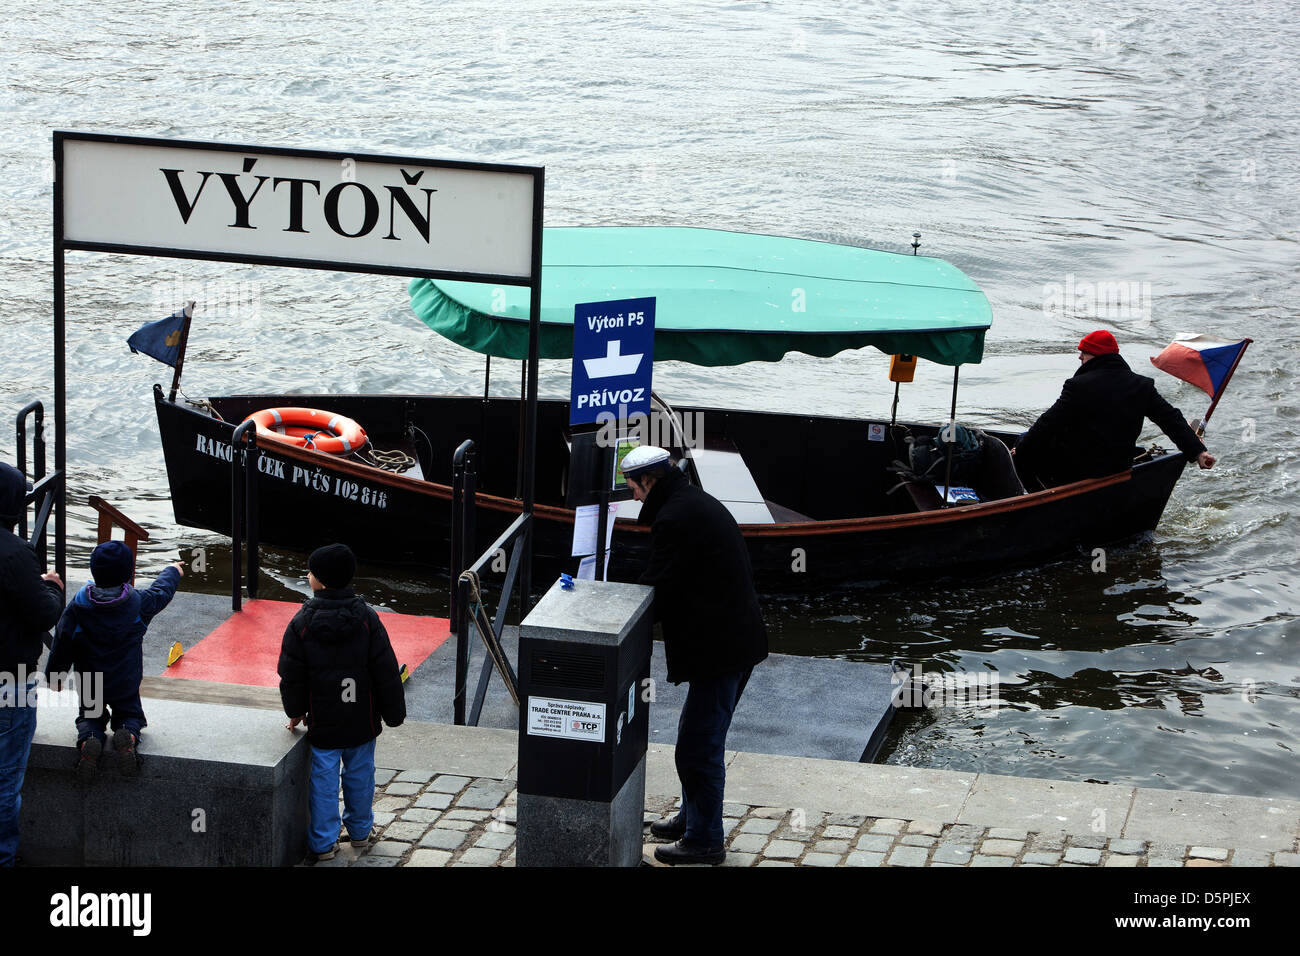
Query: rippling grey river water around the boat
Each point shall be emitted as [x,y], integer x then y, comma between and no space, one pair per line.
[1033,145]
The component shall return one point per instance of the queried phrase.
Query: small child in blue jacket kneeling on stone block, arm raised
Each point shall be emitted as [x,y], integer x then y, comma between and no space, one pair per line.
[102,633]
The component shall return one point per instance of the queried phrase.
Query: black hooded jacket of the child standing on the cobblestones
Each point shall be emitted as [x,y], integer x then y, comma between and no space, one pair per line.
[337,667]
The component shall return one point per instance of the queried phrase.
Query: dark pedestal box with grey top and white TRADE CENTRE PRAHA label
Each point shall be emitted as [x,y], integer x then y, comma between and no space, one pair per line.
[584,660]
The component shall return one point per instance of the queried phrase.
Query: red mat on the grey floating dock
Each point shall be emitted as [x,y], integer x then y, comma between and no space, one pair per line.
[246,648]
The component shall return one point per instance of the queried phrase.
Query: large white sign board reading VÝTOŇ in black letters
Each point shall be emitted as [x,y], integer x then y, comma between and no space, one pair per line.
[287,206]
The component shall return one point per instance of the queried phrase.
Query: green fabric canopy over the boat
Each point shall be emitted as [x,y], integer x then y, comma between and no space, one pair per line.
[723,299]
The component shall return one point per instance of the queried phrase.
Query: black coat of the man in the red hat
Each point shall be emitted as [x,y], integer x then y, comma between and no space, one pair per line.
[1093,430]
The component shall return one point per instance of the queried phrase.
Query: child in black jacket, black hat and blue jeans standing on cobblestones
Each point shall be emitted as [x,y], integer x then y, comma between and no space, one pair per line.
[340,677]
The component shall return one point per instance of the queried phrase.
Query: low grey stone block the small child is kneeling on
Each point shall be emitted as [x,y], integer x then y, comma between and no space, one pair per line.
[219,786]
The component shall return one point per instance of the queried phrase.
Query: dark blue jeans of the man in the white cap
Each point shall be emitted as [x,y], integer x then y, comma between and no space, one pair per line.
[701,742]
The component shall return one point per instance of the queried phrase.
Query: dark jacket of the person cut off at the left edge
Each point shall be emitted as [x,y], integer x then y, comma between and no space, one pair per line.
[29,607]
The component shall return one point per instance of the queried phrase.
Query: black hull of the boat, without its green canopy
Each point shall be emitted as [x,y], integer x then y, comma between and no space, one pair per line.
[307,500]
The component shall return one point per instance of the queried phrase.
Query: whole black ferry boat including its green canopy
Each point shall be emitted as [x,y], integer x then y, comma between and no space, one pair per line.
[822,501]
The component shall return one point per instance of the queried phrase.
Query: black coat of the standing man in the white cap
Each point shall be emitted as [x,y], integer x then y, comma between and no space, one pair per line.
[704,587]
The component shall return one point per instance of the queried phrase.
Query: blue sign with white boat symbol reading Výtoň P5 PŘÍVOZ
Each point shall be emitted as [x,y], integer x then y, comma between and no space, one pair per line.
[613,360]
